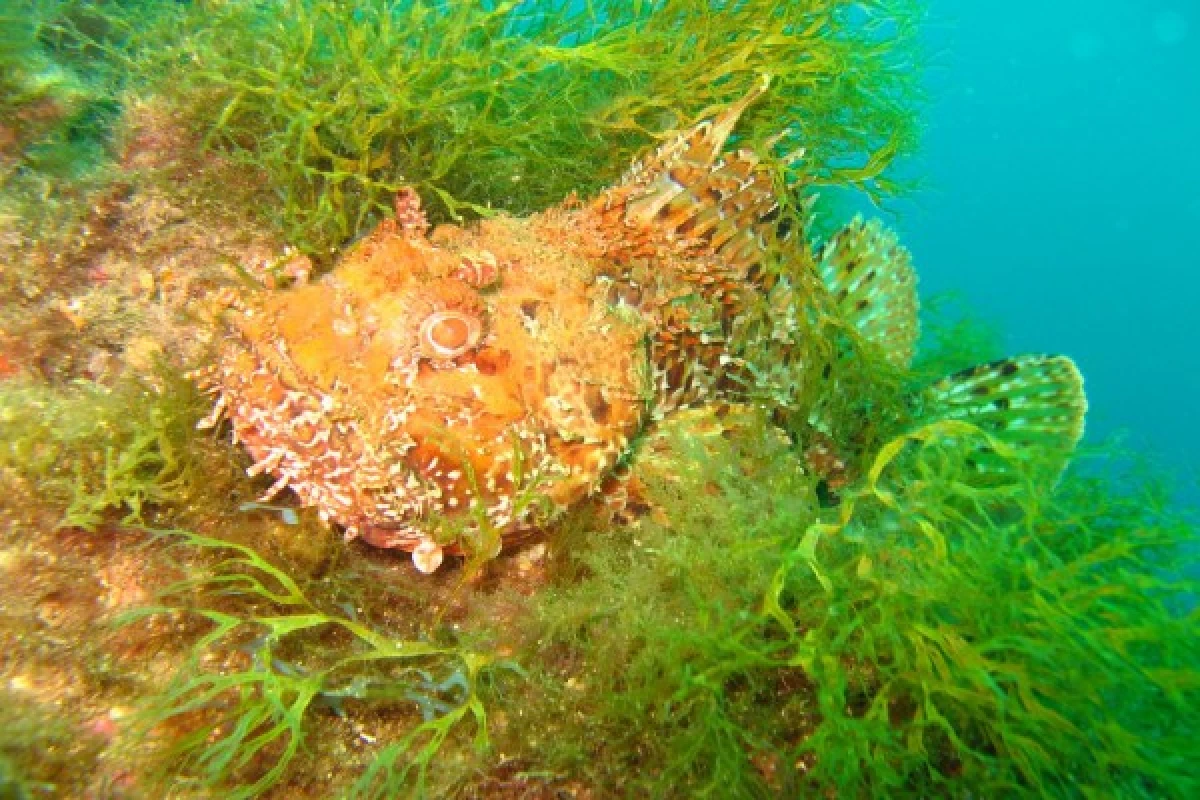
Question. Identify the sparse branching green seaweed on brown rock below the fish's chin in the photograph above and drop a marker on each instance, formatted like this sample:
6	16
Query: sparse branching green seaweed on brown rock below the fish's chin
299	659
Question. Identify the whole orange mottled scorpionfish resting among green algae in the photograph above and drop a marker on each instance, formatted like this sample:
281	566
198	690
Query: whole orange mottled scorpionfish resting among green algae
443	383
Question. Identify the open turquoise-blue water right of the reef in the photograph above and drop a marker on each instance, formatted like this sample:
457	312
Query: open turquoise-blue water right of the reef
1061	195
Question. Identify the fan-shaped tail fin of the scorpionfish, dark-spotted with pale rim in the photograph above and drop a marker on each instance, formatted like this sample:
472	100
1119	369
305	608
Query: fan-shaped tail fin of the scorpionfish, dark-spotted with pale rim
1034	404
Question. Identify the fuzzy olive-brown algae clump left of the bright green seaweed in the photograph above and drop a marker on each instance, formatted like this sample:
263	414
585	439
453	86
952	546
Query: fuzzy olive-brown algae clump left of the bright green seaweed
657	672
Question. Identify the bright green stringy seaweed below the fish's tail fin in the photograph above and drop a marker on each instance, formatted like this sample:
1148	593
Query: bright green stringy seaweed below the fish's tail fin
1011	642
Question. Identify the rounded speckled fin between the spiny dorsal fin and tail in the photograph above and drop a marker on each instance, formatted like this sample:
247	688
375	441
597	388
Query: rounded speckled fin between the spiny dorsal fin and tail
871	276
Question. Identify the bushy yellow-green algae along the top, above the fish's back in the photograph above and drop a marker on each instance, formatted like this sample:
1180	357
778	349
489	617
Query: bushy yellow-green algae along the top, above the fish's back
515	105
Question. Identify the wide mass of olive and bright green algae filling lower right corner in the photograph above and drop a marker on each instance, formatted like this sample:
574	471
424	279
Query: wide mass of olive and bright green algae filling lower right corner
925	637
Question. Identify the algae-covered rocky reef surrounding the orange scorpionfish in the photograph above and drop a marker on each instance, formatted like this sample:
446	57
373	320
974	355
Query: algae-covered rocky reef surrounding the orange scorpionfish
752	625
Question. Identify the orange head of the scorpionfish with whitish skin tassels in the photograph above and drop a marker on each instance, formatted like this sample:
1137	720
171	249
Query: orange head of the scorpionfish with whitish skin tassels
430	388
